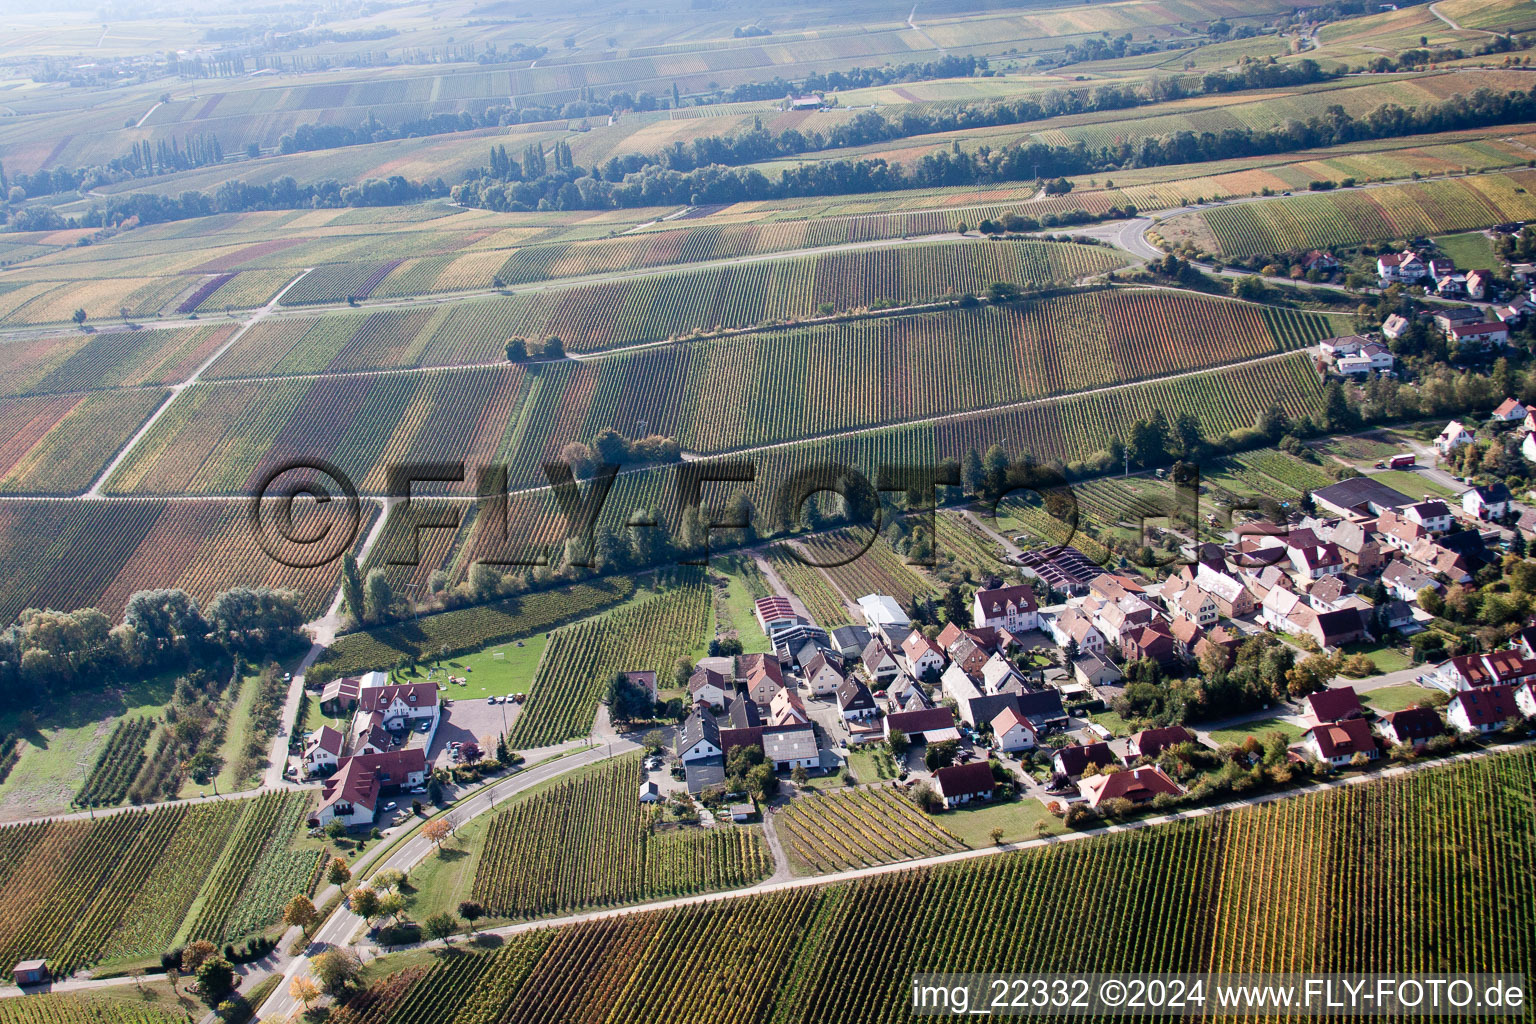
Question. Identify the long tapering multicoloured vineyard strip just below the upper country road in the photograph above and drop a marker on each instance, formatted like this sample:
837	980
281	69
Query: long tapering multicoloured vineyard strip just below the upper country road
637	311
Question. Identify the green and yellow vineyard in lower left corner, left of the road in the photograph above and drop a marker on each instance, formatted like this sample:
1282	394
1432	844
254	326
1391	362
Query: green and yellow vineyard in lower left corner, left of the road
122	888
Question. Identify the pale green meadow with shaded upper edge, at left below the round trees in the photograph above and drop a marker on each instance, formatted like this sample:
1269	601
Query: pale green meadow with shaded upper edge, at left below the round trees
48	775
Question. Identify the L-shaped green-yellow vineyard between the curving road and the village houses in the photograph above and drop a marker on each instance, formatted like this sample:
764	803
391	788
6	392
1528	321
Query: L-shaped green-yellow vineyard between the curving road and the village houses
589	842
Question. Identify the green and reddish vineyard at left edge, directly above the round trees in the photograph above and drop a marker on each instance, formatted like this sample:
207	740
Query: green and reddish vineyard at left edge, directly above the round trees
99	553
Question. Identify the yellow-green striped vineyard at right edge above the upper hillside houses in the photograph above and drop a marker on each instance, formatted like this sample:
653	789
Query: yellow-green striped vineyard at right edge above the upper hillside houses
1359	216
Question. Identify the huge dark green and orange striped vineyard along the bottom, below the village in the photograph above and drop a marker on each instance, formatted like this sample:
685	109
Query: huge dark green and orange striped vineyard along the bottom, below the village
1228	893
